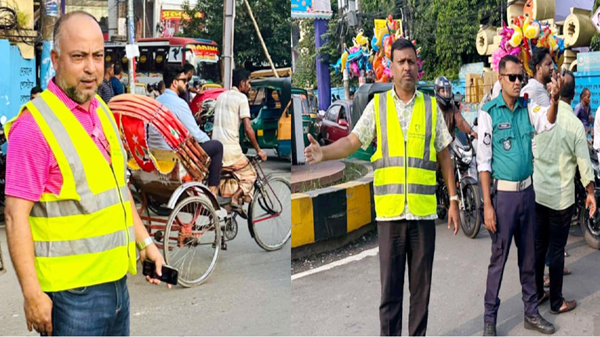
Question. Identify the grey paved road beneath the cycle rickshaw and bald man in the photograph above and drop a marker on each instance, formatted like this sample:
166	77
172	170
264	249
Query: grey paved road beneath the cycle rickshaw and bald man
247	294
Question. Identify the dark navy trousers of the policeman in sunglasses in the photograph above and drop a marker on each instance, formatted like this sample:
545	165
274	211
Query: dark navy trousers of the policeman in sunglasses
515	218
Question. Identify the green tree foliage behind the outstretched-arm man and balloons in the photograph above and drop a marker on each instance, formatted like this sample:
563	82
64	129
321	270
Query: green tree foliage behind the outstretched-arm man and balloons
445	30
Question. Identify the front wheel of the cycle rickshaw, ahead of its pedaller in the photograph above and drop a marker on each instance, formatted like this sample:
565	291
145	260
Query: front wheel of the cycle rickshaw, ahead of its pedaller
269	218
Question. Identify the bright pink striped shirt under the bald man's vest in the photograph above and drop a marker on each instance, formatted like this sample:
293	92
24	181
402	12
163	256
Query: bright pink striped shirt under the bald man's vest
31	168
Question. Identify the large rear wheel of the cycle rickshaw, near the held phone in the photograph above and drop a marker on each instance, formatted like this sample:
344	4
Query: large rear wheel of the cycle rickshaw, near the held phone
201	244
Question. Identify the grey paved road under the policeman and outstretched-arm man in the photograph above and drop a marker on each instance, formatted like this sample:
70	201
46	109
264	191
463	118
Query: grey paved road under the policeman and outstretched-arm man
345	300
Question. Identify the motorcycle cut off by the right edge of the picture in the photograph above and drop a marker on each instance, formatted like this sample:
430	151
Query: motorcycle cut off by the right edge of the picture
590	227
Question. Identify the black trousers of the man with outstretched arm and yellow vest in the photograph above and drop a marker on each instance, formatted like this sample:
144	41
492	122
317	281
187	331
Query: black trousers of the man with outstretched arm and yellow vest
400	242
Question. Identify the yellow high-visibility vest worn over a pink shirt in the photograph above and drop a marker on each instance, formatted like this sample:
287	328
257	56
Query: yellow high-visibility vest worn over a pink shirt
84	235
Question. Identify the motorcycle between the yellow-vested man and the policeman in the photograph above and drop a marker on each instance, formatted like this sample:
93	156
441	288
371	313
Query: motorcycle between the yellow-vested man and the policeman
466	179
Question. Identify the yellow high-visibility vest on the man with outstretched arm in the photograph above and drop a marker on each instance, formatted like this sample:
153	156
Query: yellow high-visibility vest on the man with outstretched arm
405	170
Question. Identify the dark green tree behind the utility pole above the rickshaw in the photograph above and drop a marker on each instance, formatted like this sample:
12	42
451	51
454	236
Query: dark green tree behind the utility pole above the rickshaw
274	27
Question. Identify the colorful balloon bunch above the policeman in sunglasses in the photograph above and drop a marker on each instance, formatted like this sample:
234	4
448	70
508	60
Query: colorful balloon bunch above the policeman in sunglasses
523	37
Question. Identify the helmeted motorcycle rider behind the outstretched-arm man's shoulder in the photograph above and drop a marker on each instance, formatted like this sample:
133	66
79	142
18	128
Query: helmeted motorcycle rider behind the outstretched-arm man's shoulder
452	113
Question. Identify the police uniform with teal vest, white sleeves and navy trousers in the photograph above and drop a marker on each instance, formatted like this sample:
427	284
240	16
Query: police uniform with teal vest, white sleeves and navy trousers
504	147
